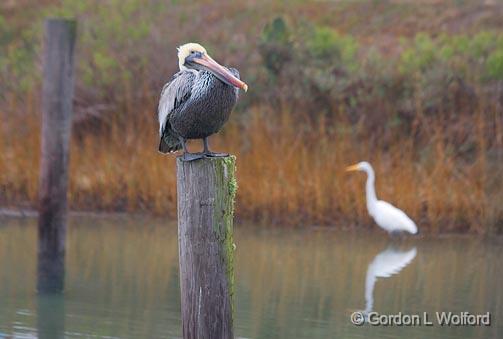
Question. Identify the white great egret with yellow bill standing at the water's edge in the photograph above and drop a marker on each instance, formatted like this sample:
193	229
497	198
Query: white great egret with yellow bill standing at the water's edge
387	216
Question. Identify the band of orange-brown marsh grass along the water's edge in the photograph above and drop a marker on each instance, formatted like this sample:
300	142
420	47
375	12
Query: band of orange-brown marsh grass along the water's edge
289	172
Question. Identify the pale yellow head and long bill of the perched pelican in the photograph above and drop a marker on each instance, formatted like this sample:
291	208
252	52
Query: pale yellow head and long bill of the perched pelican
194	56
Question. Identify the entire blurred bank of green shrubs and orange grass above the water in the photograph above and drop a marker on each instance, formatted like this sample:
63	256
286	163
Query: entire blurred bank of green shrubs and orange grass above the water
407	90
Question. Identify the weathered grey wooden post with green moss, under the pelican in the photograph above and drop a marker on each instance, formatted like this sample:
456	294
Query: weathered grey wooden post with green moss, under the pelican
206	190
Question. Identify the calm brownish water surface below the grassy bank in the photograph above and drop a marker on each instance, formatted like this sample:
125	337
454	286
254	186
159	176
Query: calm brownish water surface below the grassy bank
122	282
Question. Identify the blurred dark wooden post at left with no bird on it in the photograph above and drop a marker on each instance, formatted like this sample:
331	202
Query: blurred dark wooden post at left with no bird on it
57	96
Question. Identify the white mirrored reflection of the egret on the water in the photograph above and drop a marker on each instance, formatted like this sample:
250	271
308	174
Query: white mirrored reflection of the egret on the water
387	263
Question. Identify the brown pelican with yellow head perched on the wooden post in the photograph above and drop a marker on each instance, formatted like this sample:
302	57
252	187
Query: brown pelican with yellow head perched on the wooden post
197	102
